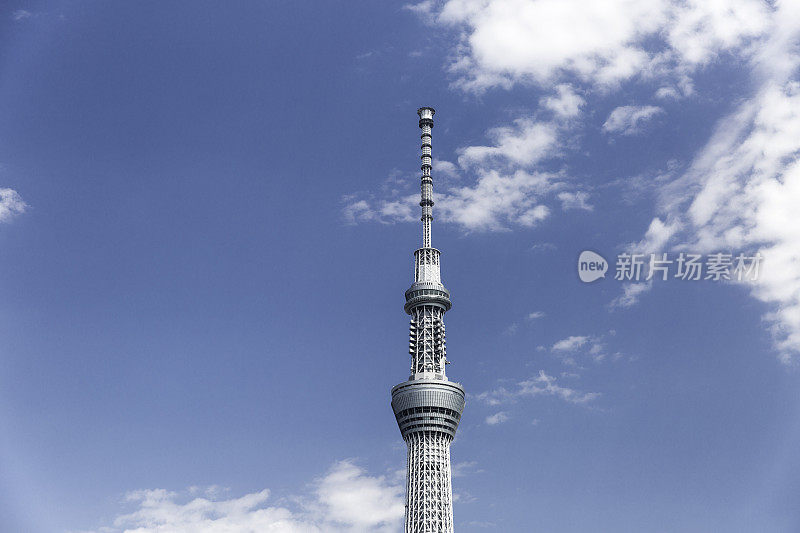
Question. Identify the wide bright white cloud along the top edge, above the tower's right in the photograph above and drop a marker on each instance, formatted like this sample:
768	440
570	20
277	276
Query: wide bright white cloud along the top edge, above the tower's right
504	42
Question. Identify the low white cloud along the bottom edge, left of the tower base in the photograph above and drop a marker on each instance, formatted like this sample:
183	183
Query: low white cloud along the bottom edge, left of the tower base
346	499
